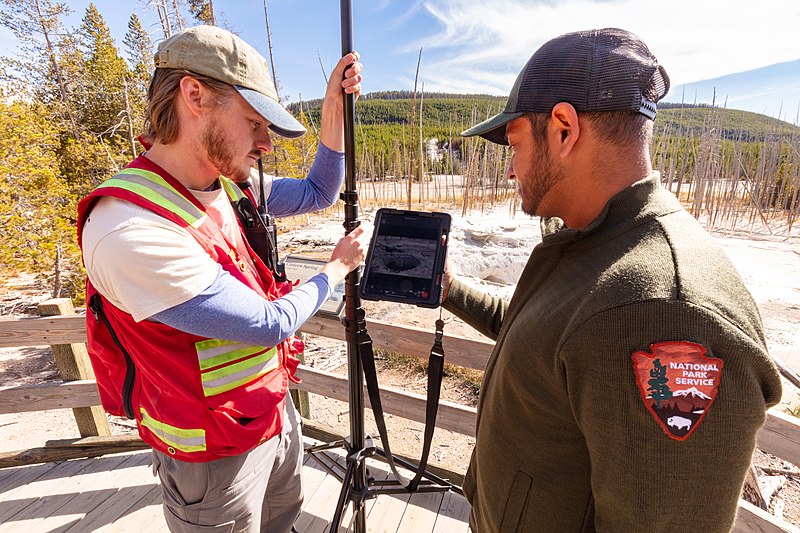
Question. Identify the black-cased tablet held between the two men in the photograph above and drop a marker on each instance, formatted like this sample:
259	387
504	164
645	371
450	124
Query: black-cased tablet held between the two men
406	258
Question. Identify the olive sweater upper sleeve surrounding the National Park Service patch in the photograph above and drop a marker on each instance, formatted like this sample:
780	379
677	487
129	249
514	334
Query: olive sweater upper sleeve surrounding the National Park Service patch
641	479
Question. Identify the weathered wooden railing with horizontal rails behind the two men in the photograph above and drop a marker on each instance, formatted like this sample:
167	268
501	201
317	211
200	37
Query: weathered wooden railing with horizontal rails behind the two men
65	332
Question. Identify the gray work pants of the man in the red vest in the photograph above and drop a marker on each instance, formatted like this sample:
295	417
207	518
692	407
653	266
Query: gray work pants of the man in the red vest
258	491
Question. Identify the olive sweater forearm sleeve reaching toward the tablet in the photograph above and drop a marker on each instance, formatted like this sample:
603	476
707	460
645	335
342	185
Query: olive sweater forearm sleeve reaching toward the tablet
483	312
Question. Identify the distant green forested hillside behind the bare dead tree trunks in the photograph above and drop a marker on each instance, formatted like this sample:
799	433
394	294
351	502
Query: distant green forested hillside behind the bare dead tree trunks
384	129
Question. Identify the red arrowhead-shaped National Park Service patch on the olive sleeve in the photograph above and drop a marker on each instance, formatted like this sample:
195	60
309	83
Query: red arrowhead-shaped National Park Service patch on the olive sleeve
678	384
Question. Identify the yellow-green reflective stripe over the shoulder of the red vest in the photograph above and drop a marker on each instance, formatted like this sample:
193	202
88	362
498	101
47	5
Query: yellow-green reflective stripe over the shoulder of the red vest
153	187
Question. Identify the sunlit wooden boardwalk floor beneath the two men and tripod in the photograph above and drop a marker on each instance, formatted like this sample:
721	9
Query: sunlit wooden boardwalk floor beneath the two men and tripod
118	493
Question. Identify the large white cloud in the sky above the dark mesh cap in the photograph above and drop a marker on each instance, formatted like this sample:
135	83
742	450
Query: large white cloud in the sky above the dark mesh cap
482	45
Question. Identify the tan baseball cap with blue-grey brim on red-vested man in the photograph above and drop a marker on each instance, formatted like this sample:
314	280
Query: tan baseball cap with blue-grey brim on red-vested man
219	54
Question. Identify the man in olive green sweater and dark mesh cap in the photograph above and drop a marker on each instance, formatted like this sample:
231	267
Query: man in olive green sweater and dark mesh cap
630	374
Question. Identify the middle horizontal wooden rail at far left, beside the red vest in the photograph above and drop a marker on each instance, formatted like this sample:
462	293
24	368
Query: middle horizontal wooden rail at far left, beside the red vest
44	396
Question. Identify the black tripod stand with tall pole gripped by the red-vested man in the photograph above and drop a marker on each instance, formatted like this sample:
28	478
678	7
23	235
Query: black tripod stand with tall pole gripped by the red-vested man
357	485
